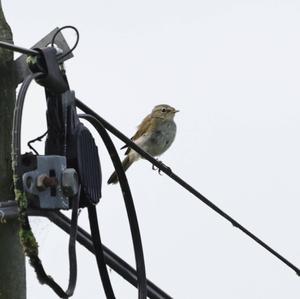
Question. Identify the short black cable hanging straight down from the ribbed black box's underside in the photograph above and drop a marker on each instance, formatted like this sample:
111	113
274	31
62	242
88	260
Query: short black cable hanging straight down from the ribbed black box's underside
95	233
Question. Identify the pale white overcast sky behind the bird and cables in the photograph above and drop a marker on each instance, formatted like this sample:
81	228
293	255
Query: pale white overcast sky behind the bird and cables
233	70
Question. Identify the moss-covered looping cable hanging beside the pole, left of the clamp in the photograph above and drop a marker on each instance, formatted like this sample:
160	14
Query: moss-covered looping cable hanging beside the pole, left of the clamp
27	238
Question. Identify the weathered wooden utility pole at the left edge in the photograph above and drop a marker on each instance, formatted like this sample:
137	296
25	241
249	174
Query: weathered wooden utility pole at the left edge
12	260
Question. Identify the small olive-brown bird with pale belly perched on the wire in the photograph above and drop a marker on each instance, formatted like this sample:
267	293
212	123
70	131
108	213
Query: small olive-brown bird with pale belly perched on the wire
155	135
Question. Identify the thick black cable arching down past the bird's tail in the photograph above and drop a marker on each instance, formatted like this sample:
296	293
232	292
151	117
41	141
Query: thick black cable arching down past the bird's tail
132	217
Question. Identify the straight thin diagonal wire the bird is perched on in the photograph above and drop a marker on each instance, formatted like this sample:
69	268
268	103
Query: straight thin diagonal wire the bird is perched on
184	184
